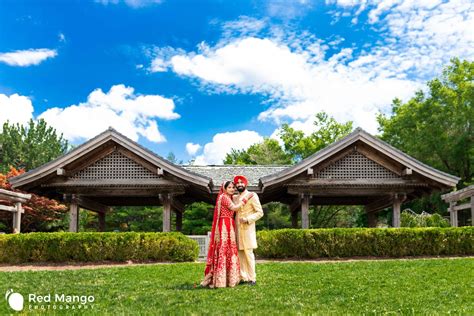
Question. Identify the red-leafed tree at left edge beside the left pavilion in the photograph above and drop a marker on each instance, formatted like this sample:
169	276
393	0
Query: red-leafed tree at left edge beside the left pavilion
40	212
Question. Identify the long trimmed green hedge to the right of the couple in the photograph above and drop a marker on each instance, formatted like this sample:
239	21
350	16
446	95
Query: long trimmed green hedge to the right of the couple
354	242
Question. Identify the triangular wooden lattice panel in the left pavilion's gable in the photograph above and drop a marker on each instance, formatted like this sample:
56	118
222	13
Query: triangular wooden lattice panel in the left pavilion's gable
113	167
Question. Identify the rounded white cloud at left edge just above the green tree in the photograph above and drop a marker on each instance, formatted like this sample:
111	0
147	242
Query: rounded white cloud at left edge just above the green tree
15	109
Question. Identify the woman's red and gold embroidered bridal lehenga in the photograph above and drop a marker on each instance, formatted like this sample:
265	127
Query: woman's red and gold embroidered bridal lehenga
222	267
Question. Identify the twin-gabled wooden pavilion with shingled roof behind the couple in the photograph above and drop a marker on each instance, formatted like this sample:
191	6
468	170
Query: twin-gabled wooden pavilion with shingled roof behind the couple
112	170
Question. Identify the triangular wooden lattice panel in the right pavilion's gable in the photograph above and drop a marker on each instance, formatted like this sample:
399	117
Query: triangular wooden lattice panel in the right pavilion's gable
355	166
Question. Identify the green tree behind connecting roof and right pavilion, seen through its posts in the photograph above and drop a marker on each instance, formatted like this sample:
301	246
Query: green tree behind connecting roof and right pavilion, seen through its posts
297	146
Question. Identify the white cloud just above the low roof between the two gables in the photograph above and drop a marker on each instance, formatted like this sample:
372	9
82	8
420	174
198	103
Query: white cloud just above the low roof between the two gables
214	152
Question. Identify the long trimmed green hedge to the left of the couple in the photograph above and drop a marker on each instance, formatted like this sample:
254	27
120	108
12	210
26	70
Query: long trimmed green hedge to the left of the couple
95	247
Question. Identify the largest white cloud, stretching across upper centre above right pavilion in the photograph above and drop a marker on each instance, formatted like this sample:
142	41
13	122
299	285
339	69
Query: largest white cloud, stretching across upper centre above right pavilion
299	83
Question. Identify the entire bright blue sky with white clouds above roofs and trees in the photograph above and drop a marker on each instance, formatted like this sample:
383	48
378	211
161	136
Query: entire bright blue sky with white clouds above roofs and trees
198	78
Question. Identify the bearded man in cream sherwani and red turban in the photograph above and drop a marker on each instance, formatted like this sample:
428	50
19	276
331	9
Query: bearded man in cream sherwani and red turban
247	239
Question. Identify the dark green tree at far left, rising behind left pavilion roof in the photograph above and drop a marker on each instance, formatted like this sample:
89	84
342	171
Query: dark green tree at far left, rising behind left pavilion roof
27	147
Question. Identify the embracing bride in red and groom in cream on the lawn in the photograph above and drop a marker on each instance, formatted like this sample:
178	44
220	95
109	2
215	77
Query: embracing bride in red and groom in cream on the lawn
230	258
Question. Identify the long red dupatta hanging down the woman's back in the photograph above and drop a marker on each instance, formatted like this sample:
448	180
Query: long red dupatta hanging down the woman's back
214	241
